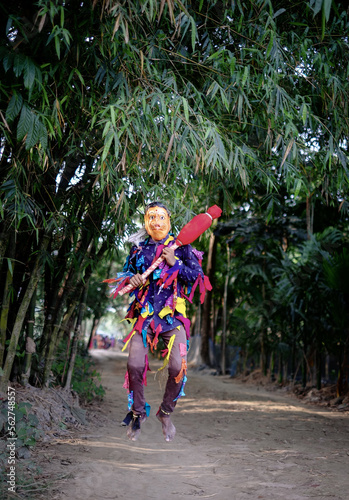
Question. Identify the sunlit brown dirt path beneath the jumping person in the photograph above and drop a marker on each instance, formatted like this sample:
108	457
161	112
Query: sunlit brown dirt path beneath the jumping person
233	442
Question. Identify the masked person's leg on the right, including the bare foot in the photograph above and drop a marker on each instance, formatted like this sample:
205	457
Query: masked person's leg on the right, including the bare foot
176	366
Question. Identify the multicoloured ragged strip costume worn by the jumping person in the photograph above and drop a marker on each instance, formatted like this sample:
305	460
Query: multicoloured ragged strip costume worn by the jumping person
159	309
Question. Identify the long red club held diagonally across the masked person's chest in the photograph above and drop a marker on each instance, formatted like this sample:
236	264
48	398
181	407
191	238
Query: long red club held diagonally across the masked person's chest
190	232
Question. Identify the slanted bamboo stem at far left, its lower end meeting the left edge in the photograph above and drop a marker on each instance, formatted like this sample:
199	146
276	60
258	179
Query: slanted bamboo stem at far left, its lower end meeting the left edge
34	278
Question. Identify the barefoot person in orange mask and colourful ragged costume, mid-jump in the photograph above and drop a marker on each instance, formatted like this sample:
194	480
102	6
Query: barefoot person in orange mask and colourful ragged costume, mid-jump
158	310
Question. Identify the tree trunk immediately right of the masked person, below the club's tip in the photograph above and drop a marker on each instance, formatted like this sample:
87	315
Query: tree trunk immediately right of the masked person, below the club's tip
206	313
